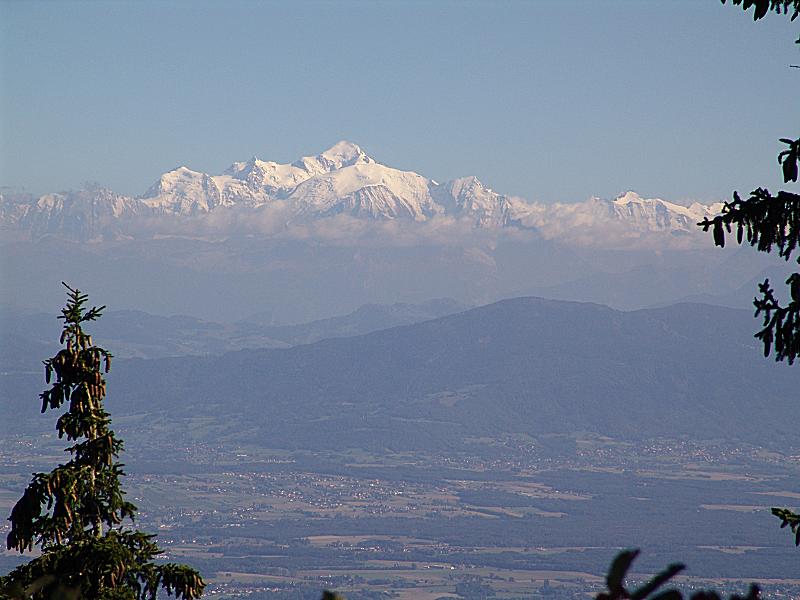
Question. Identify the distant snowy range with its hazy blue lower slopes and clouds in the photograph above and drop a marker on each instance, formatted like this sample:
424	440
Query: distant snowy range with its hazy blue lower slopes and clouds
328	233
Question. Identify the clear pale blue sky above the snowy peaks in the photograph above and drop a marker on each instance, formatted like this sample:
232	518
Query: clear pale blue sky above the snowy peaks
680	99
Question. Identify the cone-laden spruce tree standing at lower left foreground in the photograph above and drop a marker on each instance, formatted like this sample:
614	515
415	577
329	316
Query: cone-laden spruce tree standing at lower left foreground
76	513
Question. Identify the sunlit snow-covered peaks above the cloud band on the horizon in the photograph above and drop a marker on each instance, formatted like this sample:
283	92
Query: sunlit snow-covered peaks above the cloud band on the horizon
340	180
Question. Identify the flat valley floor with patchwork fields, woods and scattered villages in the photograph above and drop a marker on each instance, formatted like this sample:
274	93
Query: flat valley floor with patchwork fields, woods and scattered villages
516	518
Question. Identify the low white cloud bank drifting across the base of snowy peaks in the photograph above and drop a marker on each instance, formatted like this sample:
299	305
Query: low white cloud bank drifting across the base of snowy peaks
593	223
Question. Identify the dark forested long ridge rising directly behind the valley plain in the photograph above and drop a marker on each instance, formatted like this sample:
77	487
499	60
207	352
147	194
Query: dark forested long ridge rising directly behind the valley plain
522	366
